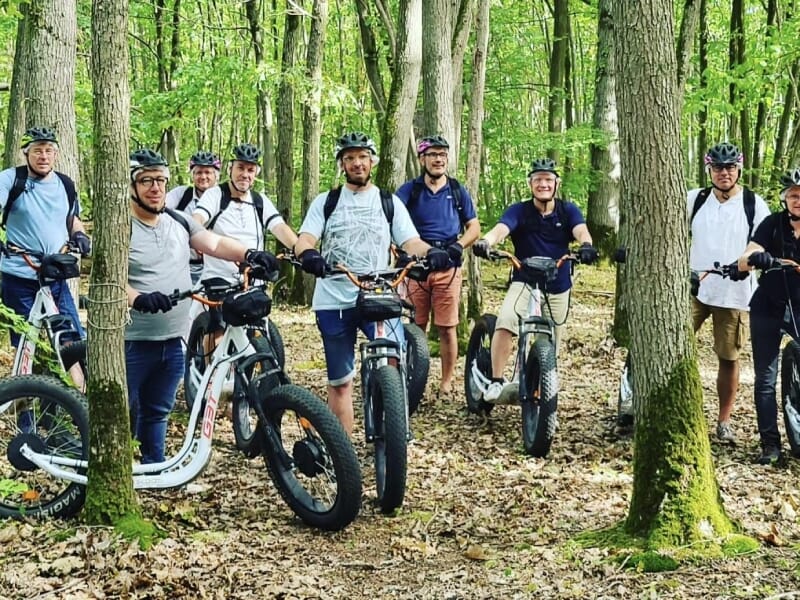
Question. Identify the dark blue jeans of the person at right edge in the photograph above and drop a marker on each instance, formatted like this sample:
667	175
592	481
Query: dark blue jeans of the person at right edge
766	332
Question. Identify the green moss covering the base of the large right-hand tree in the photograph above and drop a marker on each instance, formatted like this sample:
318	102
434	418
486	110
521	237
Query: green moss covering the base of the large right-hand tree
676	497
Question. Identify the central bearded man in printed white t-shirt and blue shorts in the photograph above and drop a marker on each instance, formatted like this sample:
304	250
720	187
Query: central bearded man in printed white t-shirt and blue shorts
358	235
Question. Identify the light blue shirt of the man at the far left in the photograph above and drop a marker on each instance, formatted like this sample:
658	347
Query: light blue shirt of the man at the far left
37	221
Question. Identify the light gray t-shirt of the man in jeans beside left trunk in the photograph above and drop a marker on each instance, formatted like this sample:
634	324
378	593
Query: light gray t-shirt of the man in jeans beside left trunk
159	262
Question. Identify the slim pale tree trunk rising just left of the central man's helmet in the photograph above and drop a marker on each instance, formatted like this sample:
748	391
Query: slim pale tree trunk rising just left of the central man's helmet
312	131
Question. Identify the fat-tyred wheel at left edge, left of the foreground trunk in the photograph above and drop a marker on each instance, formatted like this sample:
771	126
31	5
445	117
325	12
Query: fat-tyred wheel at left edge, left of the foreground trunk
51	419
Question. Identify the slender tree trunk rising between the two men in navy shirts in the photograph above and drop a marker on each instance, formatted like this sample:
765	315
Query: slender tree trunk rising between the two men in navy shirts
475	150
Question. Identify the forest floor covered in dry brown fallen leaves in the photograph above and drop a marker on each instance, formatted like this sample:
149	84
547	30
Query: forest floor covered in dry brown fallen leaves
480	519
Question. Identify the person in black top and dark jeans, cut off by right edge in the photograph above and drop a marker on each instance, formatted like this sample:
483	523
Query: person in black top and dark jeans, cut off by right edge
778	236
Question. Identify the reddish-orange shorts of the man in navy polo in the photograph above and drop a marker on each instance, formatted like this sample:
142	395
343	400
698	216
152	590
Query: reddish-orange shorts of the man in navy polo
441	292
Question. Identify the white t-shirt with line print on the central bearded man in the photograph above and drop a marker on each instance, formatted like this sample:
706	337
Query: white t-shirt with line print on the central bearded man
356	235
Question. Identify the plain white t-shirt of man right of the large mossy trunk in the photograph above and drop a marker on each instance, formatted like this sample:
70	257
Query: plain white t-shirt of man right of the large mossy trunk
719	234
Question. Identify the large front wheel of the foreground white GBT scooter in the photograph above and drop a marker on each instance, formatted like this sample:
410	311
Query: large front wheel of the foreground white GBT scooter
310	458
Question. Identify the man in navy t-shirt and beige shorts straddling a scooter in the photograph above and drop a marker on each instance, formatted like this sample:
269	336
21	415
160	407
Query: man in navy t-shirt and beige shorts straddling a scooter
542	226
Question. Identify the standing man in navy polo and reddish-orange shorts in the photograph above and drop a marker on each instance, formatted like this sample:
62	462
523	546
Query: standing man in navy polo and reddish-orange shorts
442	211
